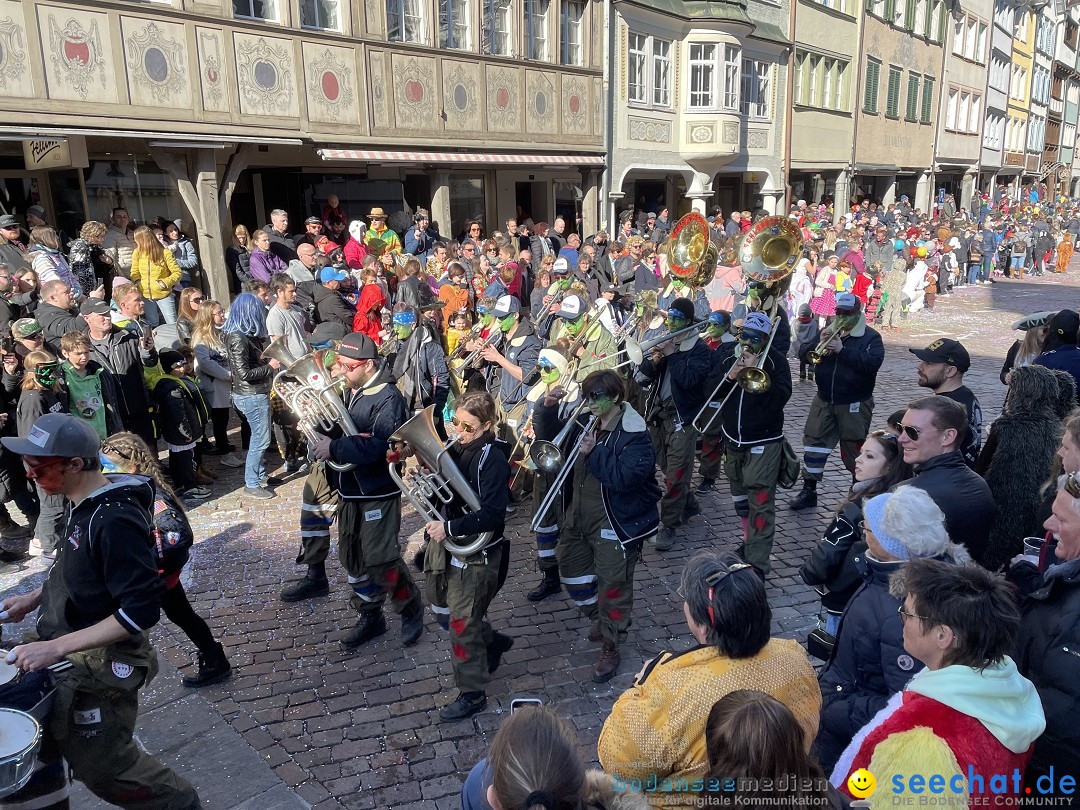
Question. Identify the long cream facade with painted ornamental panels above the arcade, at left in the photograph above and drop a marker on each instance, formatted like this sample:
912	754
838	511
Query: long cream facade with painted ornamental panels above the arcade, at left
215	112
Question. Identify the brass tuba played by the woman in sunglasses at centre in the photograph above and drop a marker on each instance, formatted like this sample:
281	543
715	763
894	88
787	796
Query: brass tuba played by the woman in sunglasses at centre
437	480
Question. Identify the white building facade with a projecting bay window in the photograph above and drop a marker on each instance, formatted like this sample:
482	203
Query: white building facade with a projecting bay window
700	106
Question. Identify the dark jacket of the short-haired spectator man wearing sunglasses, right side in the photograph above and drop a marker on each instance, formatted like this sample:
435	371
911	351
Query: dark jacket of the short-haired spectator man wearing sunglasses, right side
964	498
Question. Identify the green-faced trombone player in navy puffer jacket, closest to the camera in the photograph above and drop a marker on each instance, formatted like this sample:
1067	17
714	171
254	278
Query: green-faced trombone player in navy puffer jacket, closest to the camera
613	510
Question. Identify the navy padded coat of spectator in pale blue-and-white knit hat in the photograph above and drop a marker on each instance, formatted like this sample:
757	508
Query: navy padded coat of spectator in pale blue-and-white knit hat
869	664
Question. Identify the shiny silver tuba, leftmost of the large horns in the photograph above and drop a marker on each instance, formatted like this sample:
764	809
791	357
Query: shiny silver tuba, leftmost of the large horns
308	390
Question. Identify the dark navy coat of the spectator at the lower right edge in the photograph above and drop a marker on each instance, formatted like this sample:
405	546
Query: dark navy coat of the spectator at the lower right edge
1048	654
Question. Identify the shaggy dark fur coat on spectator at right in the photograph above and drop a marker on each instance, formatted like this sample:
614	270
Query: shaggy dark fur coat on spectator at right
1017	461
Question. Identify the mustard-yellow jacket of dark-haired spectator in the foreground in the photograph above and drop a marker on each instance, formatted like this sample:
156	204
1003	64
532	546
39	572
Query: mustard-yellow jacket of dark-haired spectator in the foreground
655	738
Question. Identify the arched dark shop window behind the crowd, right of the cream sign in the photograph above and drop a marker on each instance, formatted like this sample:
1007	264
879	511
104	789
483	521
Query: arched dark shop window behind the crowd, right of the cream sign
134	184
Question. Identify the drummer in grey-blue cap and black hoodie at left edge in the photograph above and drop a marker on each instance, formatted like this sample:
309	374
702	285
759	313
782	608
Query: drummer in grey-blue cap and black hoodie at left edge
97	610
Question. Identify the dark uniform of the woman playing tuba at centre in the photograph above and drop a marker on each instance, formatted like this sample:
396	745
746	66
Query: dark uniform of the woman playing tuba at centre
461	591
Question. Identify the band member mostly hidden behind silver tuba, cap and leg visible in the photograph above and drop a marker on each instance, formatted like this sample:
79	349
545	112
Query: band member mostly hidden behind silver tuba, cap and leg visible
319	503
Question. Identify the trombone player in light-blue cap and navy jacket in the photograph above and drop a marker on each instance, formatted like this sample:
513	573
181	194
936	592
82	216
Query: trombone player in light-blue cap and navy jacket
753	427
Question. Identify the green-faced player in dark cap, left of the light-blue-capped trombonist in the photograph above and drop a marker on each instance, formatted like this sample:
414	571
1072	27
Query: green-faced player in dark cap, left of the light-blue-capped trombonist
679	370
